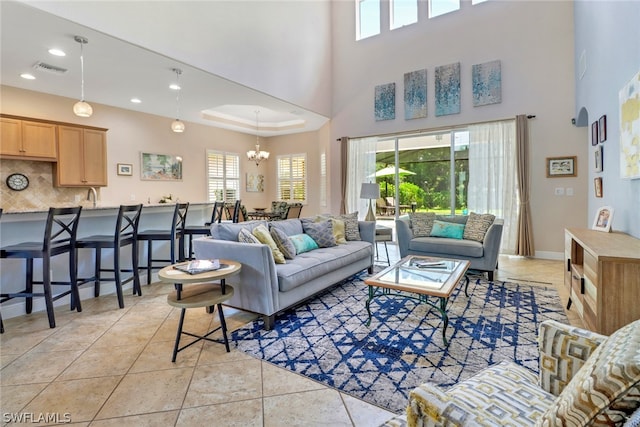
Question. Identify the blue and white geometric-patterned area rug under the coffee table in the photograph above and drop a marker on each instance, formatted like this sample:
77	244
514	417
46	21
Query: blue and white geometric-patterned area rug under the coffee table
326	338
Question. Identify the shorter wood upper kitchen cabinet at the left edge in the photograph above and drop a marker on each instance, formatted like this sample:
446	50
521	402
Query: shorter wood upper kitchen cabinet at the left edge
28	140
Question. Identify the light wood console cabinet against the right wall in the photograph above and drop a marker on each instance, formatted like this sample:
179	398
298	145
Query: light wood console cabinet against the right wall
603	277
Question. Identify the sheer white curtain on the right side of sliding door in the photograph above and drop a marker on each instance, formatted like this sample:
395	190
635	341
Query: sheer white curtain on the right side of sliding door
493	180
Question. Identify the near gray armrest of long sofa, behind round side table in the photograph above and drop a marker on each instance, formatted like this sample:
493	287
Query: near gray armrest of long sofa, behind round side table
257	282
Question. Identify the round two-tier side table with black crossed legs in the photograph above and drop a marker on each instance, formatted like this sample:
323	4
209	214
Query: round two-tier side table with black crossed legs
170	275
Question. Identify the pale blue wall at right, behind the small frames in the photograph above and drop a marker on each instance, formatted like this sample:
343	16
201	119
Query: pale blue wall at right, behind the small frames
612	55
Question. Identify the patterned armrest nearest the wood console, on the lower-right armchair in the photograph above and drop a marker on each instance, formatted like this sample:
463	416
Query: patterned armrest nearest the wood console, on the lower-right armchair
563	351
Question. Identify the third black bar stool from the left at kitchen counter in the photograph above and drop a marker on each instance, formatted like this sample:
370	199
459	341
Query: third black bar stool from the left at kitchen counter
173	234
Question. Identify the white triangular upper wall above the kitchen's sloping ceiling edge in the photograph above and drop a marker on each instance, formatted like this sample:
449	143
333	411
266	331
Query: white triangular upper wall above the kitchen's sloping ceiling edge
281	48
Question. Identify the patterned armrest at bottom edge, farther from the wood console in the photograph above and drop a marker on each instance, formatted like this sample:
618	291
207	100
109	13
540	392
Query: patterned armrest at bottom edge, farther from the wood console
428	406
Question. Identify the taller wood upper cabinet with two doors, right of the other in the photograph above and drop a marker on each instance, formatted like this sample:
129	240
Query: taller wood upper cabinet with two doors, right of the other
82	157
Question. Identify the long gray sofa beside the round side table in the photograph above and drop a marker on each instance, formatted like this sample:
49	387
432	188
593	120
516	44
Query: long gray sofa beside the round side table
267	288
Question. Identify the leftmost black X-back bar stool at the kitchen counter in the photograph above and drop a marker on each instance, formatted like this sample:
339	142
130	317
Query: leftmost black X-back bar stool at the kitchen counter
59	238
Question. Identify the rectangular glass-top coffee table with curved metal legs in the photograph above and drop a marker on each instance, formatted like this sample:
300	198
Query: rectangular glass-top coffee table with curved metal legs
420	278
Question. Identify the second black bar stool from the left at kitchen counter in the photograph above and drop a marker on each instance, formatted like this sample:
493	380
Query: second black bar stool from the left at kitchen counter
125	234
